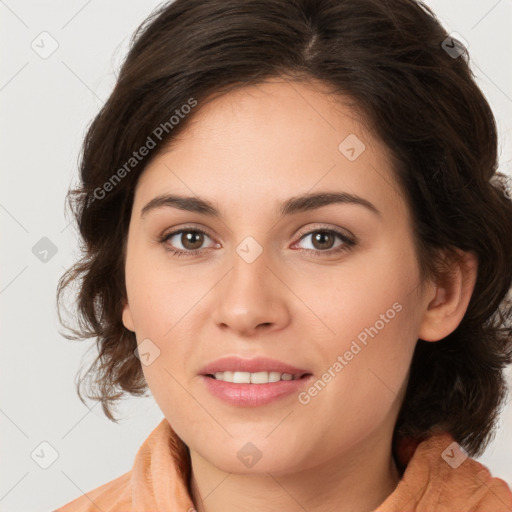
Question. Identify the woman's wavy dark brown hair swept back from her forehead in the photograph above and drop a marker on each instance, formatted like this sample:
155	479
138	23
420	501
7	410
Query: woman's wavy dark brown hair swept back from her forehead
391	58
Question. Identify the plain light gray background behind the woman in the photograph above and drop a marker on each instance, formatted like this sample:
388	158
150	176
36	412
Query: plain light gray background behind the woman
46	105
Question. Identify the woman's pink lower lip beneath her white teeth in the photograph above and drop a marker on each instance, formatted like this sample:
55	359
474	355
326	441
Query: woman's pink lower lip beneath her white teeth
253	395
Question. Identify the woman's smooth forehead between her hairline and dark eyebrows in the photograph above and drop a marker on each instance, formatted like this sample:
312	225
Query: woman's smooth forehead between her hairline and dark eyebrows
265	143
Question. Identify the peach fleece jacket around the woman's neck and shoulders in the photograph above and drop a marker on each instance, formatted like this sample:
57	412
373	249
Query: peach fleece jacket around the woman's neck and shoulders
437	477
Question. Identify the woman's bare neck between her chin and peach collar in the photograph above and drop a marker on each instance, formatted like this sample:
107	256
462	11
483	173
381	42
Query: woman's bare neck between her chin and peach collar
356	481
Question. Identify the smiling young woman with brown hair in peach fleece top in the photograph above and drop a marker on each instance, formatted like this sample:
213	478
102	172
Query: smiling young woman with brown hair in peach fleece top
297	239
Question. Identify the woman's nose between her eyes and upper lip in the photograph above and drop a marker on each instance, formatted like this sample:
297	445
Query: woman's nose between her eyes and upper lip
251	299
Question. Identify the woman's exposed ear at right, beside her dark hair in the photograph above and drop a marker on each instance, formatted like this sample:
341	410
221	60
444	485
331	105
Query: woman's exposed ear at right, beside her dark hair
452	294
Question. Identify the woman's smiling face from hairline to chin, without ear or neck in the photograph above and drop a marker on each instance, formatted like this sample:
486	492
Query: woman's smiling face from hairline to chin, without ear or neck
272	278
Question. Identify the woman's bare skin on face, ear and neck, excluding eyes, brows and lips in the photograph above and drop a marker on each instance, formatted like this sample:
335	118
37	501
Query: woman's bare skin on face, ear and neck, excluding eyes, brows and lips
247	152
